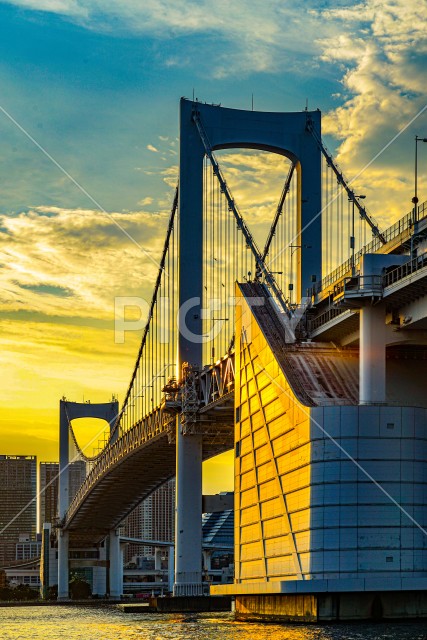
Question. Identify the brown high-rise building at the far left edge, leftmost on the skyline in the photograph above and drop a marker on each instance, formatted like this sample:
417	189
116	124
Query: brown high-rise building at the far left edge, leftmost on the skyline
18	513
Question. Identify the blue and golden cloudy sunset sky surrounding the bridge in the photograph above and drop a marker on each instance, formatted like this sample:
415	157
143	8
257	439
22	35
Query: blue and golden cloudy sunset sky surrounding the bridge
97	86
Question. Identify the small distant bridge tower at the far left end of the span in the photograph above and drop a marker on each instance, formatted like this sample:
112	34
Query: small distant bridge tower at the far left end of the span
70	411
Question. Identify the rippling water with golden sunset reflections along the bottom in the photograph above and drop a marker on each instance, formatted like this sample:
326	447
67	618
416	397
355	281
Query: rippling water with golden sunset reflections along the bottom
71	623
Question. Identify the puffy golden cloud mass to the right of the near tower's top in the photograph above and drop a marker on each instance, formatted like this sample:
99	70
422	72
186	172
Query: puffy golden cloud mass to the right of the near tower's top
381	52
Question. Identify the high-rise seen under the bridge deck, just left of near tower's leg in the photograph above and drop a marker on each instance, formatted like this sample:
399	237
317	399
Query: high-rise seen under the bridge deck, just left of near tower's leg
153	519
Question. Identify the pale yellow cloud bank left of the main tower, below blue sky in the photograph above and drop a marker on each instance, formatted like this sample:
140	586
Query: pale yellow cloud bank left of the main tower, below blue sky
69	262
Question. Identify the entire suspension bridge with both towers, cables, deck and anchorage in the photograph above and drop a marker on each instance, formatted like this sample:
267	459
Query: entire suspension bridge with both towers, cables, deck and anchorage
307	355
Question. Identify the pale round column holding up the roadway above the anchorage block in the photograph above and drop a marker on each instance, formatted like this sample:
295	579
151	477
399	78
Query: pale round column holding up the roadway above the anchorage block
372	355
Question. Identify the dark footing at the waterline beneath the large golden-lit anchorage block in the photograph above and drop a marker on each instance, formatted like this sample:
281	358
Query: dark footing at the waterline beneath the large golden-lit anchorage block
340	607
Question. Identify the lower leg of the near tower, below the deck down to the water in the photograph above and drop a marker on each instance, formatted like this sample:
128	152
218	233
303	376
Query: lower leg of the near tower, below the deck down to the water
188	531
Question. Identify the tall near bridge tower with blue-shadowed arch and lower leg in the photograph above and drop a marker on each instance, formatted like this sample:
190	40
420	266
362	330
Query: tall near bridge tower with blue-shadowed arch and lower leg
282	133
